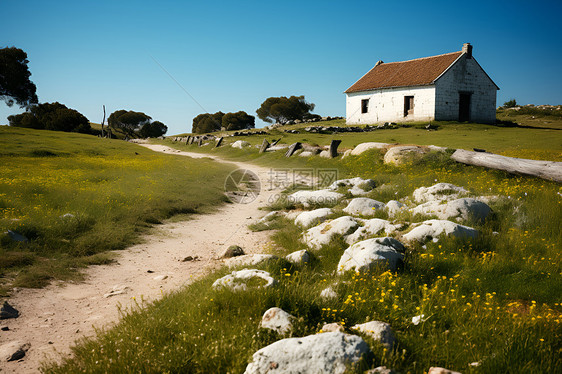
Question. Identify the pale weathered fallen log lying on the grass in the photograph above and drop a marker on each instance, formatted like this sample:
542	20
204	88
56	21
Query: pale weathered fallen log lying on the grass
543	169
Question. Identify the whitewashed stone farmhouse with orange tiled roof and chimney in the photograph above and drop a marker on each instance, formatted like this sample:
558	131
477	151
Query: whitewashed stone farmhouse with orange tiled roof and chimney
448	87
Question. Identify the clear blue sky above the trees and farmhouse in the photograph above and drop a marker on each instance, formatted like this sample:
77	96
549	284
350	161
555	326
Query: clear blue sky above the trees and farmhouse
232	55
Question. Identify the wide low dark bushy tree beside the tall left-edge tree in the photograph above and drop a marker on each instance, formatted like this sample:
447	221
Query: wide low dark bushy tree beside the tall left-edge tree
52	116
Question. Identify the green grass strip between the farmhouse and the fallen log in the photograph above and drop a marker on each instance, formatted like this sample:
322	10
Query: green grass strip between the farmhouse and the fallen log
537	138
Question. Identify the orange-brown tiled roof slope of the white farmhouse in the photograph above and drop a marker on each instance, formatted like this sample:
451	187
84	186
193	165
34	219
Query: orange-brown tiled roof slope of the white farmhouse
418	72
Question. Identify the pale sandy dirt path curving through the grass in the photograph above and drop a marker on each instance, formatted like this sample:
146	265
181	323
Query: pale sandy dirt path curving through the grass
51	319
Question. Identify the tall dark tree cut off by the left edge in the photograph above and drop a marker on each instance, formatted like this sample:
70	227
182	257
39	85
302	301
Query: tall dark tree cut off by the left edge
15	85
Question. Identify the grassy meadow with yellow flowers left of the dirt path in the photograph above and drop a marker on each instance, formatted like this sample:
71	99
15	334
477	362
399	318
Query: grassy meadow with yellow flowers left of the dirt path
75	197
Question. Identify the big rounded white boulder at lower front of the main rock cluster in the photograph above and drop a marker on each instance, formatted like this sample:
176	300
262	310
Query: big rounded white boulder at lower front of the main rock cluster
367	254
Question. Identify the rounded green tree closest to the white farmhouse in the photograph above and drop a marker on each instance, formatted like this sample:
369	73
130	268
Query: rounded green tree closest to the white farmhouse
283	109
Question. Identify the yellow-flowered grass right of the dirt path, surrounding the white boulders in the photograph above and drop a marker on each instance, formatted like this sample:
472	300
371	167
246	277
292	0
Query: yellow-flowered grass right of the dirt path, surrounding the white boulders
491	304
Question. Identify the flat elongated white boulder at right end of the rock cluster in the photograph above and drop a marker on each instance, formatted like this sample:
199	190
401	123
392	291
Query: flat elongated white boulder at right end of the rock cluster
461	209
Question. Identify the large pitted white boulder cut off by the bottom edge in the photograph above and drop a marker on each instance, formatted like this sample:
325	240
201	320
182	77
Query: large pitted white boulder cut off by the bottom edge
330	353
